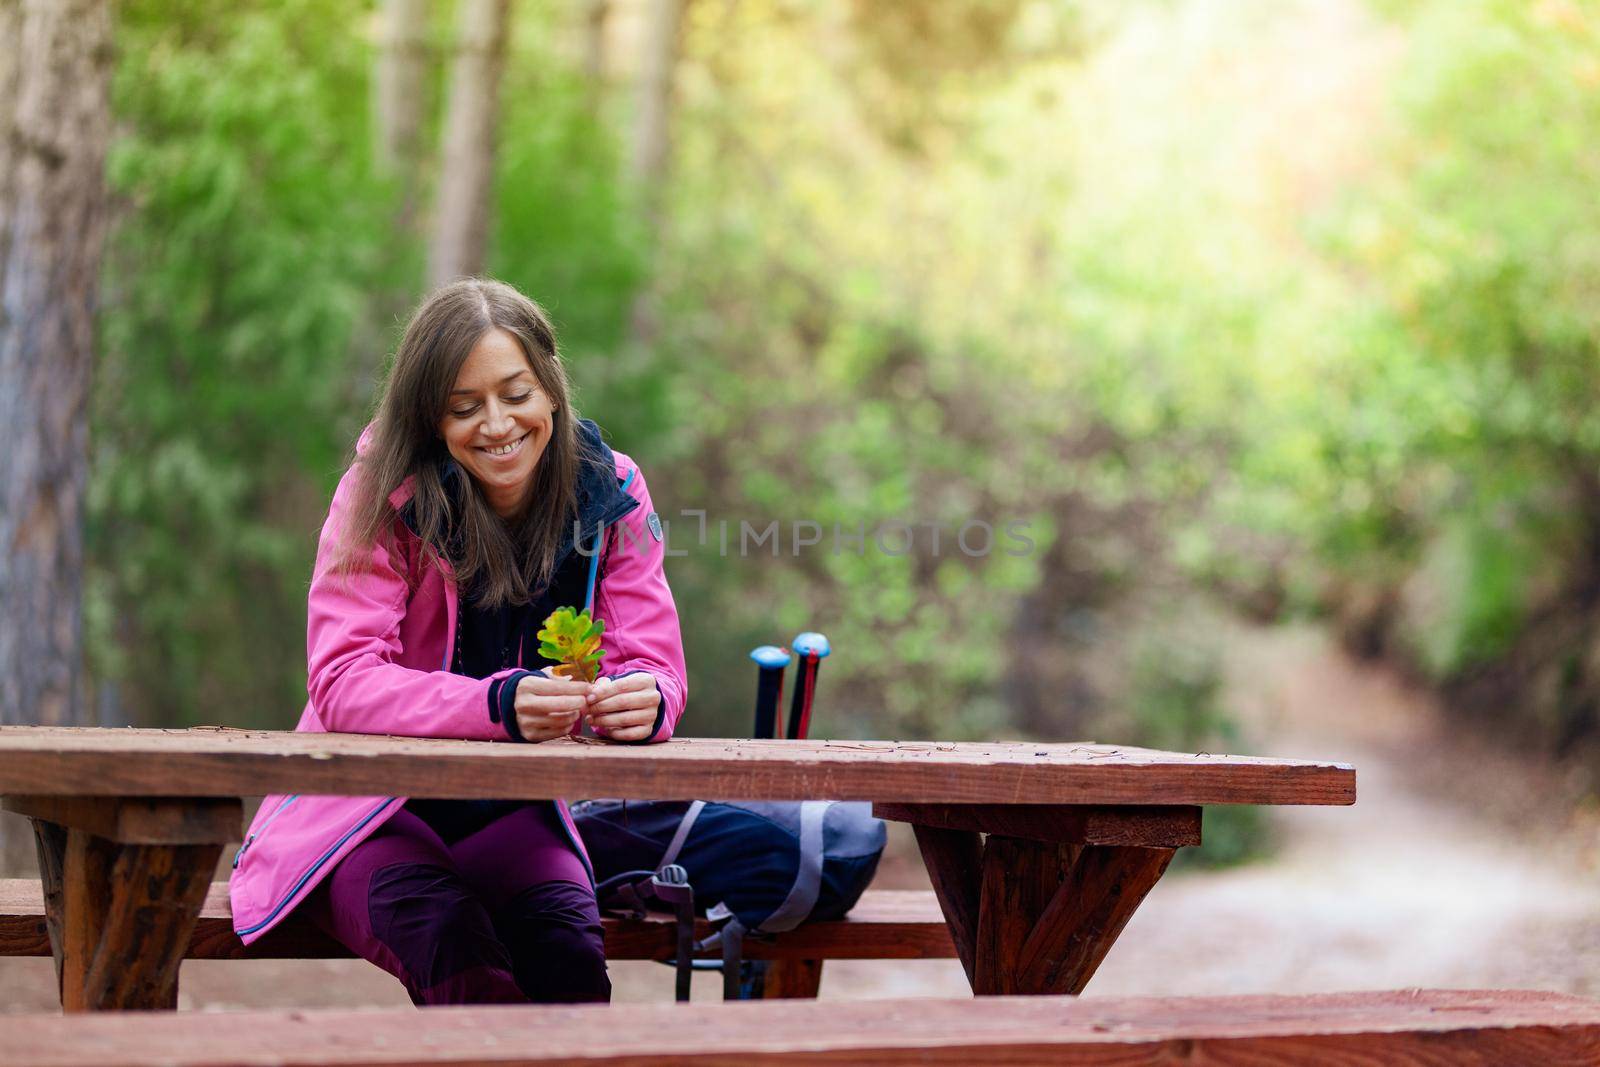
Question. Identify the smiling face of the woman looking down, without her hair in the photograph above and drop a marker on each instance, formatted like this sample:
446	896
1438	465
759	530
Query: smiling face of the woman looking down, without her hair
498	420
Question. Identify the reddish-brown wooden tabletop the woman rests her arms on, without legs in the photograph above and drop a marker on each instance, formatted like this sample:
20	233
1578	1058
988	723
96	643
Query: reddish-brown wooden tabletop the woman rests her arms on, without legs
210	762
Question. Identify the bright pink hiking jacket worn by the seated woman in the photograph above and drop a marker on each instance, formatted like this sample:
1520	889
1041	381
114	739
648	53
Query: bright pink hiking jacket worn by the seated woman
378	652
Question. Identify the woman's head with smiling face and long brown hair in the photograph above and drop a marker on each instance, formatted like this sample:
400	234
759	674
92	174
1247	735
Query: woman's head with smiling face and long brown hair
476	372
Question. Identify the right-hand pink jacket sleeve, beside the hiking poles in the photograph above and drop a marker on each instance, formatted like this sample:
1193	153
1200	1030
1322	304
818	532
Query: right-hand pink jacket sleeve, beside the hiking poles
636	604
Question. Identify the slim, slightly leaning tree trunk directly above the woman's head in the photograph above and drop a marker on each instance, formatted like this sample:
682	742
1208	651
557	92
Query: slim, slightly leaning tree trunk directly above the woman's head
462	217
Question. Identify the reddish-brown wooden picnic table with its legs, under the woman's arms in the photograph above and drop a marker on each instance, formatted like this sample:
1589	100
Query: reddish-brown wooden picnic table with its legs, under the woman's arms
1039	853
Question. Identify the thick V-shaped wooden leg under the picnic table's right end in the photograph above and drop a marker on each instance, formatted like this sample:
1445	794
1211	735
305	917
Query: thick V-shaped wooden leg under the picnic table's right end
1038	905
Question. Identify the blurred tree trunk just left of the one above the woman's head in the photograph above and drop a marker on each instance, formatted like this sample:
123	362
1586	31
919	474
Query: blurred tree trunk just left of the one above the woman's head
398	98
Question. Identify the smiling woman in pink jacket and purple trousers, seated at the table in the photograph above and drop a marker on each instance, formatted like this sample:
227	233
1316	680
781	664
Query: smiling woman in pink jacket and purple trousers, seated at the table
476	506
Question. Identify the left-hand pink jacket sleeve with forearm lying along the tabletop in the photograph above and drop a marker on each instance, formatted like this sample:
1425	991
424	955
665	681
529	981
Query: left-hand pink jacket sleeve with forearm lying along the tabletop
353	641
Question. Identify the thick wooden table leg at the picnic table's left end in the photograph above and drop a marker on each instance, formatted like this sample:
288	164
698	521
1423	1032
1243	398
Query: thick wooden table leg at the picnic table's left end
124	885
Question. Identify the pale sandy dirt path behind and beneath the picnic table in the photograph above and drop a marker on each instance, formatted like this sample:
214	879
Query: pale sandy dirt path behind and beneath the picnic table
1454	869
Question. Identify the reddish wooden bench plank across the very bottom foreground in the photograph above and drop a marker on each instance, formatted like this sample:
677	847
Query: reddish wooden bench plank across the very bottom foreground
1394	1029
